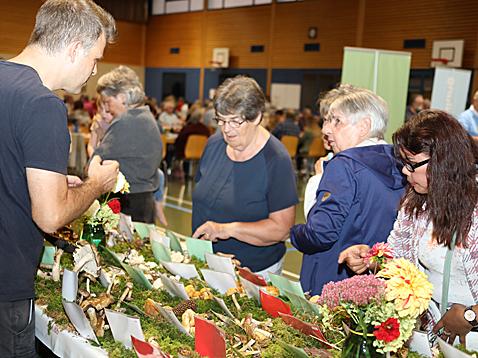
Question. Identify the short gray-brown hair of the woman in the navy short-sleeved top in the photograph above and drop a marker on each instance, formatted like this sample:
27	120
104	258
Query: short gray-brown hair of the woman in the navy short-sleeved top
240	95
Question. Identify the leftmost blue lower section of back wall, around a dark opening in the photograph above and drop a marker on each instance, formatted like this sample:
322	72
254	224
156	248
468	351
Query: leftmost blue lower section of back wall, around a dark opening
154	77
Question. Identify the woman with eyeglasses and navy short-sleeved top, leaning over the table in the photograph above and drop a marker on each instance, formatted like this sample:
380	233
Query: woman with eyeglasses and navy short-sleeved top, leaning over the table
245	195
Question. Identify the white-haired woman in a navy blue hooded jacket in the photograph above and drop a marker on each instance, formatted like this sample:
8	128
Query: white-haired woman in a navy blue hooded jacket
359	193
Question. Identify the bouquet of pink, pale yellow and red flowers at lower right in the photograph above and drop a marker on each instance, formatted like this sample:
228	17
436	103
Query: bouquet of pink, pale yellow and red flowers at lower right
382	308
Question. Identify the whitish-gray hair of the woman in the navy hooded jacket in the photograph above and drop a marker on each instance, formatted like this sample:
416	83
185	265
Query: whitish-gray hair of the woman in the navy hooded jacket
358	103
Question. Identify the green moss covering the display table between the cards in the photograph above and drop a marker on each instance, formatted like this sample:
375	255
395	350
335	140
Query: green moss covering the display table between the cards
166	335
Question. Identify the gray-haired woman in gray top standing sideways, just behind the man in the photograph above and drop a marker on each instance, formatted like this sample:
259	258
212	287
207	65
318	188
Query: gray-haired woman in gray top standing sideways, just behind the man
132	139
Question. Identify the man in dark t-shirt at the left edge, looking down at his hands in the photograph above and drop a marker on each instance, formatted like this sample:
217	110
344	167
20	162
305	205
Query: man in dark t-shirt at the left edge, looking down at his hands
36	194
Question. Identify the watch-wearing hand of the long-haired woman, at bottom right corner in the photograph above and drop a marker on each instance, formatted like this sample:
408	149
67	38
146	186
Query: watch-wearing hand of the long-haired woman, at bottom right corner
454	324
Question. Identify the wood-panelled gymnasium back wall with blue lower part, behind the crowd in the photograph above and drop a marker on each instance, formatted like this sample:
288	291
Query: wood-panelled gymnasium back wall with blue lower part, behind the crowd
281	28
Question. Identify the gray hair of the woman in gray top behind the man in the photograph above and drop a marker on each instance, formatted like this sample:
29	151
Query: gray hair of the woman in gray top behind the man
125	81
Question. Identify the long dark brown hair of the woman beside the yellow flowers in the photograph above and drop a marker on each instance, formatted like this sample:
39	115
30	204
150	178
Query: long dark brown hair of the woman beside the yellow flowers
451	173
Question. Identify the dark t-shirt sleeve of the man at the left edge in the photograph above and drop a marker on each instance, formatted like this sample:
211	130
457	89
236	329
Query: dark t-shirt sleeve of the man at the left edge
45	139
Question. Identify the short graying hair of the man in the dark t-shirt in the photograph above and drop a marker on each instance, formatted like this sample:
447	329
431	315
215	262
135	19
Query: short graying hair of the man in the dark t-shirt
61	22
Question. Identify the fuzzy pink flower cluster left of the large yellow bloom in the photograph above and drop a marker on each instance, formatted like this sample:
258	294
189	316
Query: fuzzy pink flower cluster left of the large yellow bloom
359	290
